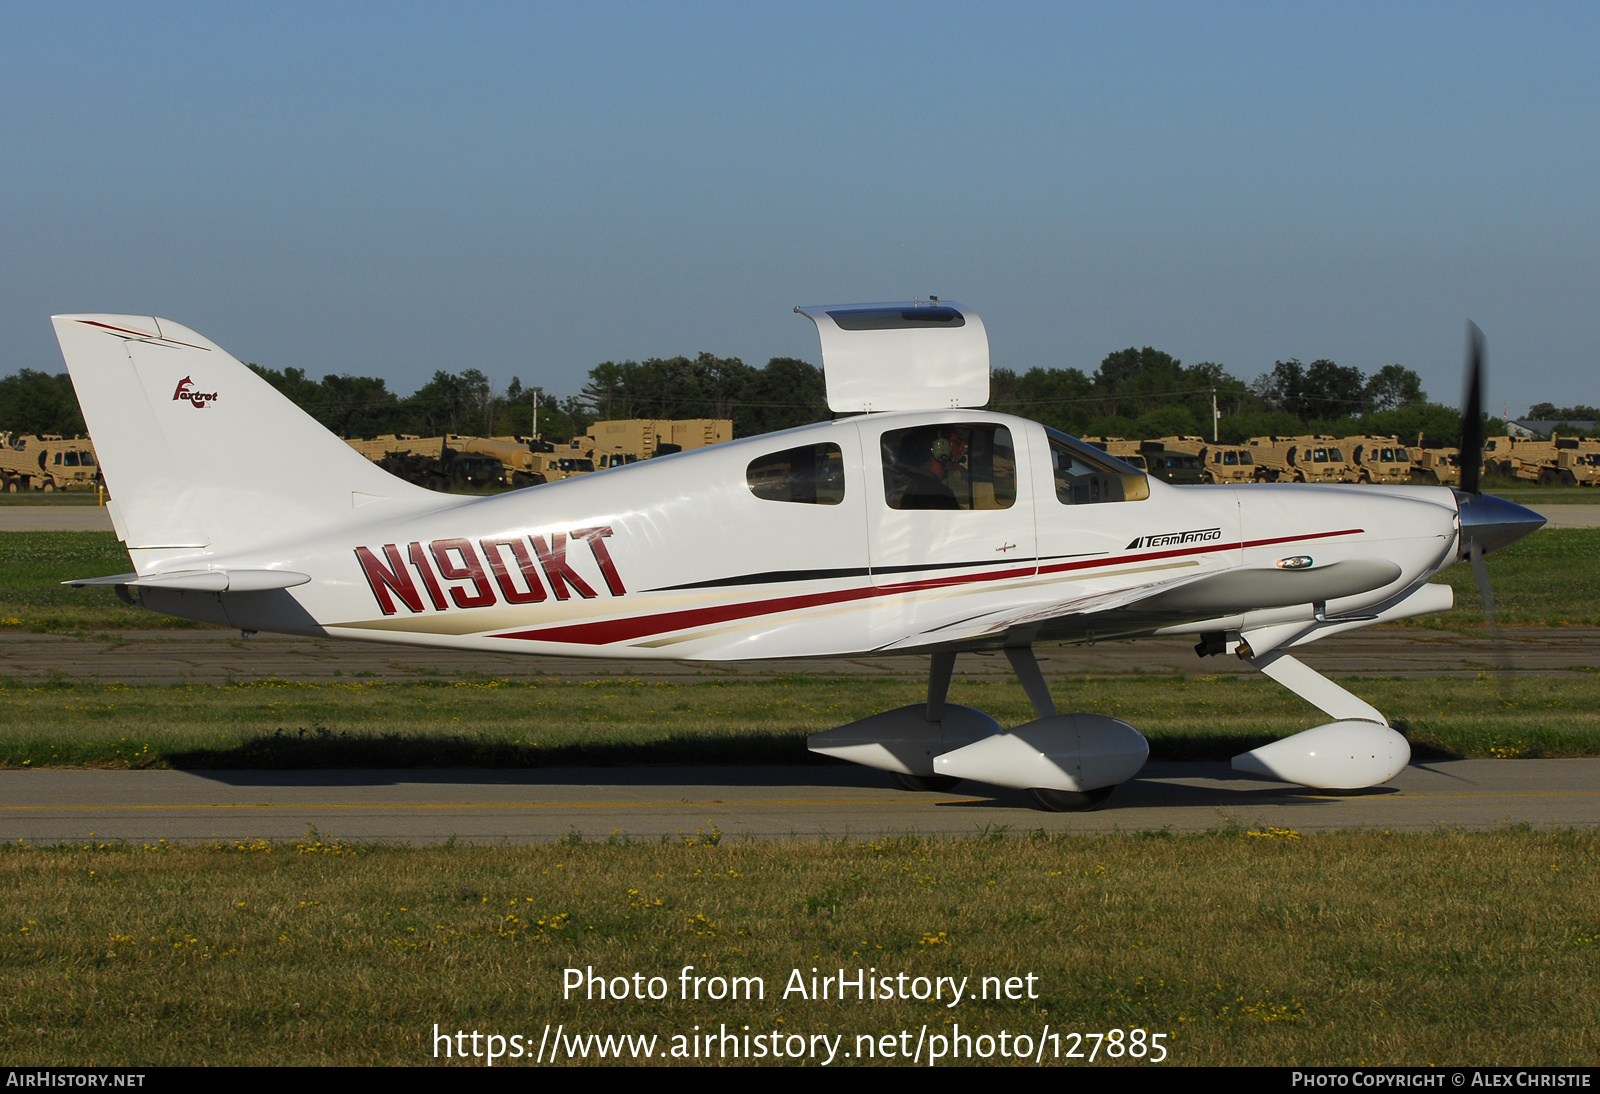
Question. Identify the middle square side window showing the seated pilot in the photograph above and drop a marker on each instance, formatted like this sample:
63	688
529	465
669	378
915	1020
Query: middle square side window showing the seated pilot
962	466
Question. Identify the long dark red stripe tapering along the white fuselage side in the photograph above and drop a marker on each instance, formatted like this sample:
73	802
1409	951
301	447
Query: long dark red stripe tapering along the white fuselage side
609	631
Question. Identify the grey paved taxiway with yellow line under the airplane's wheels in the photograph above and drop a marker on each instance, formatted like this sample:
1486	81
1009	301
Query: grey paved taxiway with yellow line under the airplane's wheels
839	802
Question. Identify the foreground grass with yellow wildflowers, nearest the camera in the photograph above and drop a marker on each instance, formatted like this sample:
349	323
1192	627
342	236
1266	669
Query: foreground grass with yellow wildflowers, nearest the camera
1239	946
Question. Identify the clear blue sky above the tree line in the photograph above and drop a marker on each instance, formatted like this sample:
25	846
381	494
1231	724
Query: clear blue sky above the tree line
390	190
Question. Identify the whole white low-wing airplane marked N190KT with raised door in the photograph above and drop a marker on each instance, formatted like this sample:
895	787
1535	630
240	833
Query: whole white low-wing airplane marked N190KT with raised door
919	525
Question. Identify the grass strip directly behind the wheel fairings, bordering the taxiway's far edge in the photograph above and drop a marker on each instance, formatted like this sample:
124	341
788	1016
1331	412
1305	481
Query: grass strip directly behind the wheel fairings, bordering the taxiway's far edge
514	724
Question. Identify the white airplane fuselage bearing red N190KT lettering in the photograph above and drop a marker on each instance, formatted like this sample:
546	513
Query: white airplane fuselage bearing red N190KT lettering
817	541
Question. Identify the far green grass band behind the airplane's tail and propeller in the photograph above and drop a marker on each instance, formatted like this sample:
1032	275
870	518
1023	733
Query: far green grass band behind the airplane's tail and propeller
1546	580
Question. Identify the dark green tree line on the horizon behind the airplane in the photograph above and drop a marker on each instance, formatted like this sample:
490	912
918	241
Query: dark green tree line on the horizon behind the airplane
1135	393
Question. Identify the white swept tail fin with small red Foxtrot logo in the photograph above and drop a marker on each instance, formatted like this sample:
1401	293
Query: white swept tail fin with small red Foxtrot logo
202	453
